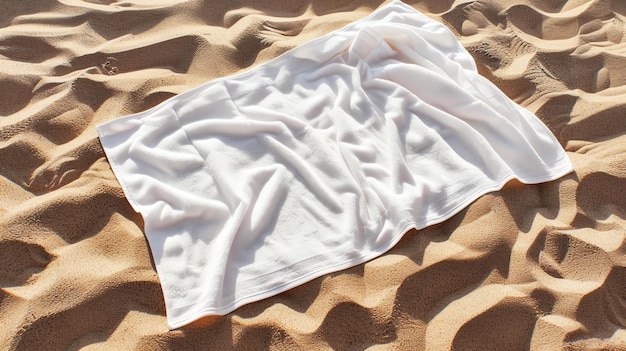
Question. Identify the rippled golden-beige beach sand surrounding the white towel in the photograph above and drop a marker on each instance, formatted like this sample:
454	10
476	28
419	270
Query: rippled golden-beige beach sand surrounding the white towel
539	267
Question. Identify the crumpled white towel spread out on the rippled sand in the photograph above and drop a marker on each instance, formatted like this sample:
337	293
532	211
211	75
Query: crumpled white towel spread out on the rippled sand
318	160
